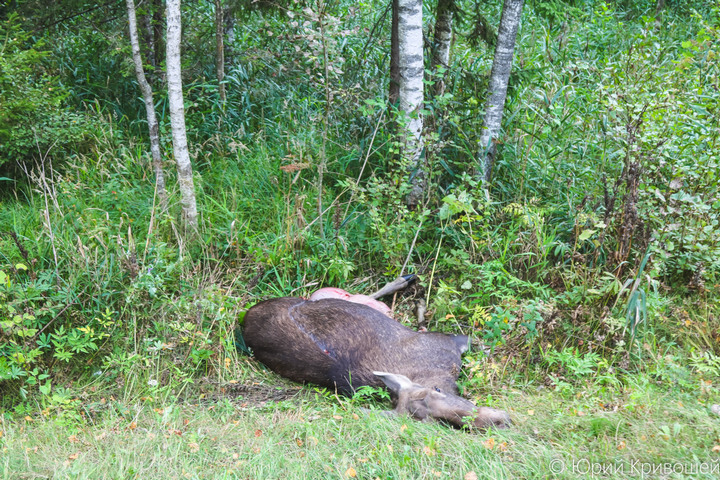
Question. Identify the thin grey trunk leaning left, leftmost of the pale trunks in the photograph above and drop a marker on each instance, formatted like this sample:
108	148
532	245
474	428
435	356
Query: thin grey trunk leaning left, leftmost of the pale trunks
149	106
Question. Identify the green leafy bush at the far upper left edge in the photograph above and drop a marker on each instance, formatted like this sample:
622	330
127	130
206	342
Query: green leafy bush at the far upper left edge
34	117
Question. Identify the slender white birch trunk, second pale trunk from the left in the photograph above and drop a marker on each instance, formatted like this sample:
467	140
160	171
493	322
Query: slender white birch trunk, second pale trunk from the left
177	115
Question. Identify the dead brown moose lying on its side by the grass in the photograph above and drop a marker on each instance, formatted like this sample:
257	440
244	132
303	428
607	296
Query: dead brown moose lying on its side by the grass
343	345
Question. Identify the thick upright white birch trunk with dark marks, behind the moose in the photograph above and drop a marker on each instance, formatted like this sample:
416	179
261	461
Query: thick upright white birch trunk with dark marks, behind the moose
410	49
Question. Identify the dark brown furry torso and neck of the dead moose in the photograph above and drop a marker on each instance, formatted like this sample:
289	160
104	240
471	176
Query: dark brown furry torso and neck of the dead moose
338	344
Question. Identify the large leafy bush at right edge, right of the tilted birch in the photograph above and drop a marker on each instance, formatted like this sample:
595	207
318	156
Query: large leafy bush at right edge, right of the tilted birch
630	152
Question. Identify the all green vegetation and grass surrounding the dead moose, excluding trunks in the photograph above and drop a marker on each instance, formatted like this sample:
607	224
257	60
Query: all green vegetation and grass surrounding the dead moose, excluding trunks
586	266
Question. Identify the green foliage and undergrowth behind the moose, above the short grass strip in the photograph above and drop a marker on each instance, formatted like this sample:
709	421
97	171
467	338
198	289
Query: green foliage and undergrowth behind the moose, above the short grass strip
599	227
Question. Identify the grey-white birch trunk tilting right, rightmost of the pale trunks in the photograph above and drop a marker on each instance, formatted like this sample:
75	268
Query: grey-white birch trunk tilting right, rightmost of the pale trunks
499	77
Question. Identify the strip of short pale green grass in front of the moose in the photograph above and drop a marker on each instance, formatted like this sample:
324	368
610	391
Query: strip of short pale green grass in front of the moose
314	434
